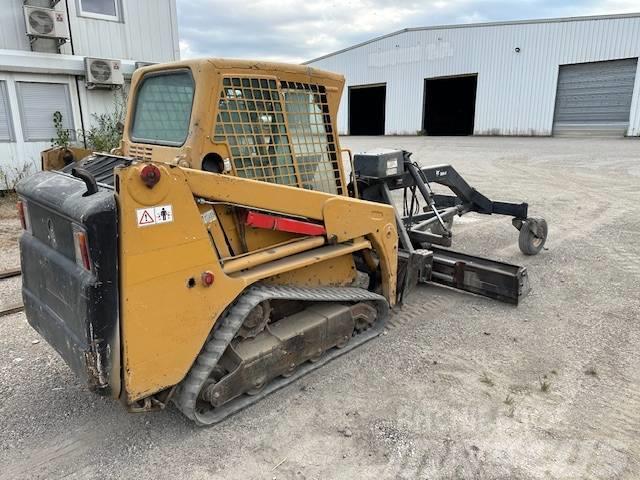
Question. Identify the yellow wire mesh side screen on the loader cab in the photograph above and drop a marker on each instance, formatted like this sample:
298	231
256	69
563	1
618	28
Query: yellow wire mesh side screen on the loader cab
279	132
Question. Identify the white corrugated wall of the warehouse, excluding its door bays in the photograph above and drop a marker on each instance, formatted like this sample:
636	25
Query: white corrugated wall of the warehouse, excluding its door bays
516	90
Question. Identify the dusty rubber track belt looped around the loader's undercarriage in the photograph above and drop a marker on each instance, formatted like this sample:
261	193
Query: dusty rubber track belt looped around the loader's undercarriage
189	389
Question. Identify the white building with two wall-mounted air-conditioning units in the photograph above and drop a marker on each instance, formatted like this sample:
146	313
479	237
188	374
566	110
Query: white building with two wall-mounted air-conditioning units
42	65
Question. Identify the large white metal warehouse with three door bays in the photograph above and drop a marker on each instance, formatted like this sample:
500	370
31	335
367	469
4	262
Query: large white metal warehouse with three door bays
540	77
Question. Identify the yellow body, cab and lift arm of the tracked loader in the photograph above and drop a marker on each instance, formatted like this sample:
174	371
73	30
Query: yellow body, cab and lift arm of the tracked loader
167	308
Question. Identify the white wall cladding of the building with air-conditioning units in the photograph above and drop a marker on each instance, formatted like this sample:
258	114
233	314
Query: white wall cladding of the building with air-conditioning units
146	31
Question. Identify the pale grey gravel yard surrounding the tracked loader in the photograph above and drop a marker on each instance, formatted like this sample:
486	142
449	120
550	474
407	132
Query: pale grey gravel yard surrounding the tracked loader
460	387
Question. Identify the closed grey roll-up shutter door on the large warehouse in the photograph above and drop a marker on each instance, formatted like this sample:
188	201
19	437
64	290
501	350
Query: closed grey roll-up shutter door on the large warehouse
594	98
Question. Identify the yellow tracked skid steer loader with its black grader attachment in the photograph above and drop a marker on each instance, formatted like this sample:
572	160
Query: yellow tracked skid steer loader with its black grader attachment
222	251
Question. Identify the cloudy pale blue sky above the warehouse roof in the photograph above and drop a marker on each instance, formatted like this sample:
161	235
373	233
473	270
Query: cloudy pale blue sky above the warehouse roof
295	31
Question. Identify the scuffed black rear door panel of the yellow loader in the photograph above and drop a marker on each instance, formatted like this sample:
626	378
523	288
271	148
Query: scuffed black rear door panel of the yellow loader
74	309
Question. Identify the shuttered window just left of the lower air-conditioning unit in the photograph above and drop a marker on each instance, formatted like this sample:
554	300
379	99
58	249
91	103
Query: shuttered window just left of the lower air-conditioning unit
38	102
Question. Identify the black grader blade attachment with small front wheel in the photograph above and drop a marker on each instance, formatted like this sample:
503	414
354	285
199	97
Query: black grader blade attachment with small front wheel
426	221
